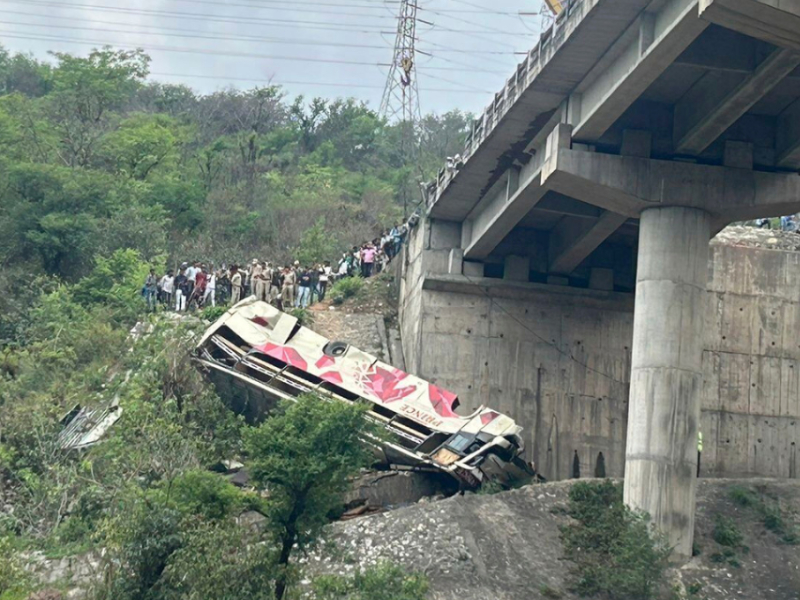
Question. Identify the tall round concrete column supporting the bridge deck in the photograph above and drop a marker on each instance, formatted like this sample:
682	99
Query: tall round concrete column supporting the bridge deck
666	375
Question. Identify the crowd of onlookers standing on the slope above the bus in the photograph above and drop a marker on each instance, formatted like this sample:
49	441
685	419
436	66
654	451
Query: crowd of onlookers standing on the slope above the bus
199	285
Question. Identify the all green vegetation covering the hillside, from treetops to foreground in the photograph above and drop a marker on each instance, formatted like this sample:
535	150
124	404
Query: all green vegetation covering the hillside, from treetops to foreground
104	175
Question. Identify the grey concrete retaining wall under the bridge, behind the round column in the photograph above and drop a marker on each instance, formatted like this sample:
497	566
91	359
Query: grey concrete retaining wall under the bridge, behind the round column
557	359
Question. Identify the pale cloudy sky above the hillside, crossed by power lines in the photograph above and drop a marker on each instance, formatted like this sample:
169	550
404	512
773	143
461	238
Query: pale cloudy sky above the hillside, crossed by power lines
328	48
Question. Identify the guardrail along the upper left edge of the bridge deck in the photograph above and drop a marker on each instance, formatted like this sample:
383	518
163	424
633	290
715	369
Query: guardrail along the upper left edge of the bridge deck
523	76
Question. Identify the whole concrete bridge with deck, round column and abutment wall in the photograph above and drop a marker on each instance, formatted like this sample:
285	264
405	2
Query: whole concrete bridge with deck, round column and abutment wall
631	124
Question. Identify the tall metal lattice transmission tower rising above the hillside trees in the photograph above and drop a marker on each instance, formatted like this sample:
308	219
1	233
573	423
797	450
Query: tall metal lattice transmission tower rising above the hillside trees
401	96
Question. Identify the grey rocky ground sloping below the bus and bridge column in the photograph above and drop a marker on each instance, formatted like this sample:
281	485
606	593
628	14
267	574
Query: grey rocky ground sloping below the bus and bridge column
506	546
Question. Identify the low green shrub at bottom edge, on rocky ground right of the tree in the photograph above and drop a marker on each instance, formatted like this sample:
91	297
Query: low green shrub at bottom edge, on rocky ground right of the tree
383	582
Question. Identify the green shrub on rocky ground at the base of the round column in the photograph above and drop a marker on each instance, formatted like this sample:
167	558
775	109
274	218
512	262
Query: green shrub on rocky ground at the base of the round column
614	550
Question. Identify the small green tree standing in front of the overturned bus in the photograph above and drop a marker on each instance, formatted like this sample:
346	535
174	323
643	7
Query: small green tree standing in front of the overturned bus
305	457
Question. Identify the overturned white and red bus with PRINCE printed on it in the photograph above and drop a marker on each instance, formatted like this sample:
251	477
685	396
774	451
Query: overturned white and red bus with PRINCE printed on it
256	355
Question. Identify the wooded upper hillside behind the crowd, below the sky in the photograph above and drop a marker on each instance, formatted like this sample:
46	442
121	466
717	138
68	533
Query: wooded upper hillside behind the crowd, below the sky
96	159
